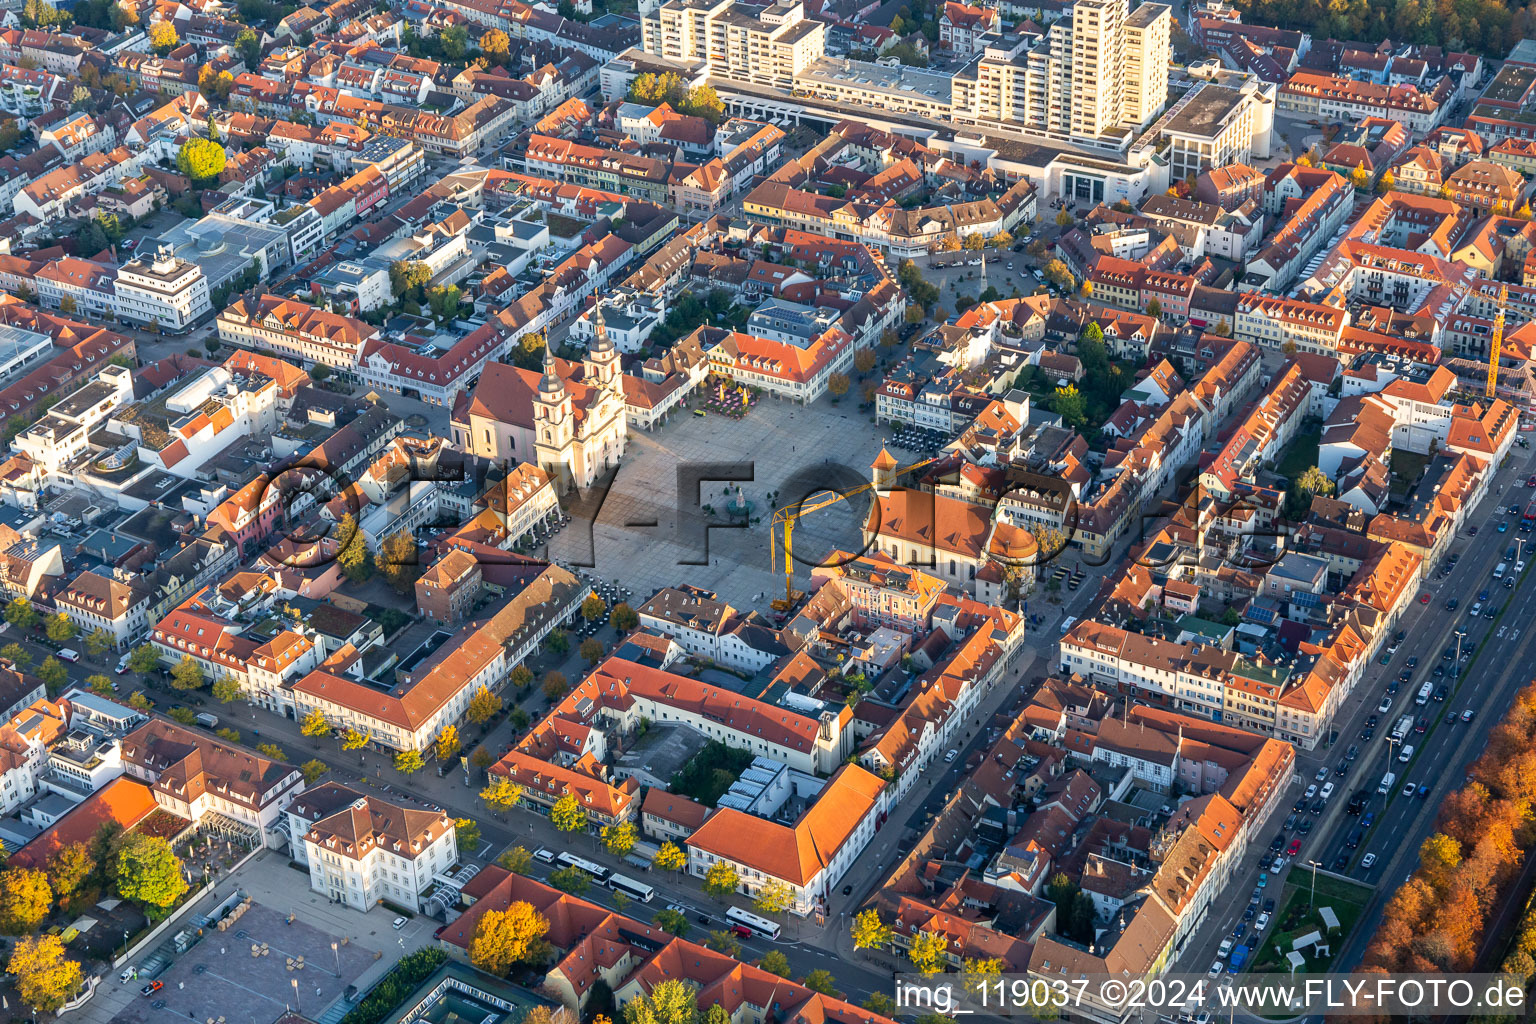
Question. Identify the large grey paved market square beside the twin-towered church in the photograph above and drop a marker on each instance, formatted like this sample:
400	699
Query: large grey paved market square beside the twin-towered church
652	537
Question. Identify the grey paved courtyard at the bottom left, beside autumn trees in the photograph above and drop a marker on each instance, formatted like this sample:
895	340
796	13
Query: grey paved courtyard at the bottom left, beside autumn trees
220	980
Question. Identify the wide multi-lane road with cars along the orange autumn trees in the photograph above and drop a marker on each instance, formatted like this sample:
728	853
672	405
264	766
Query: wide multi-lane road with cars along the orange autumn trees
1486	679
